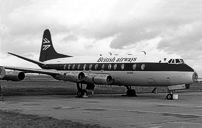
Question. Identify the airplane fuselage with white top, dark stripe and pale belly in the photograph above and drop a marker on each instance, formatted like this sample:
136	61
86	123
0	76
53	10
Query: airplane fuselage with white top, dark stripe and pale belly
128	71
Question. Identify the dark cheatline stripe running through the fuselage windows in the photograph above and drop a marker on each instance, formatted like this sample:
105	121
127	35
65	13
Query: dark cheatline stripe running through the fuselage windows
121	67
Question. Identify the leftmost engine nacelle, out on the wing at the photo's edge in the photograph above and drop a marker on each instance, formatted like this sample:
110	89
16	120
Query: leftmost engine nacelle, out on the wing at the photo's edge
13	76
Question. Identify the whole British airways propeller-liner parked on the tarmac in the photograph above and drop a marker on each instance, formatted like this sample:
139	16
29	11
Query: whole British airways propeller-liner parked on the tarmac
125	71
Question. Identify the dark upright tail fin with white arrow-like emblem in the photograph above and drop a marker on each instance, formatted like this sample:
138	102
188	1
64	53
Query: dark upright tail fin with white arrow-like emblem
47	50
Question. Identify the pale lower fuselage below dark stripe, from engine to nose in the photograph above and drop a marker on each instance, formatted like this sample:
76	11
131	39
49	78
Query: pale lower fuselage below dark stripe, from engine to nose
148	78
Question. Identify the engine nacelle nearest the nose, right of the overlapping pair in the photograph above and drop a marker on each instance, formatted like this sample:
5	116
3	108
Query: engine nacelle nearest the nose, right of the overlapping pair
101	79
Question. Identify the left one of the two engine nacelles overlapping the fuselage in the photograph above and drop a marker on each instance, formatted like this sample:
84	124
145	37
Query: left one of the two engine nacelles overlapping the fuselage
70	76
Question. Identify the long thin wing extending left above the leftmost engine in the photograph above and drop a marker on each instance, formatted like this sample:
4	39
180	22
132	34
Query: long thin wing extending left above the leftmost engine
32	70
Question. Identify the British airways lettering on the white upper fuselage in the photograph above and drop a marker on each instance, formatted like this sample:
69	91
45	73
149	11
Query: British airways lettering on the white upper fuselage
114	59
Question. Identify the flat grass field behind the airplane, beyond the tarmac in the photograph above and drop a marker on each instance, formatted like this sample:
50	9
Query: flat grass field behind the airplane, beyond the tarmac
46	85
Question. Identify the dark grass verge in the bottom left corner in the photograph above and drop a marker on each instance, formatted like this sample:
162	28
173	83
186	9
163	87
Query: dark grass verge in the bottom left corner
18	120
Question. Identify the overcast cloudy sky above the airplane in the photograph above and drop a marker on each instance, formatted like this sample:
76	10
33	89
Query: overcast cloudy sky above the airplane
89	27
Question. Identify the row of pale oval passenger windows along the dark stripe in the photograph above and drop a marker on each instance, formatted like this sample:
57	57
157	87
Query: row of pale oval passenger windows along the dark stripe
103	66
